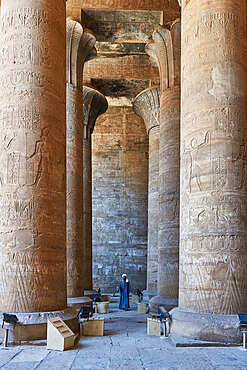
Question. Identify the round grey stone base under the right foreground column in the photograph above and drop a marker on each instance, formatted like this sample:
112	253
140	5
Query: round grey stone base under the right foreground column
206	327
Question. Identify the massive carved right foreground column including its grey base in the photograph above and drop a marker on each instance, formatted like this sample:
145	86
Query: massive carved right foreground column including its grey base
213	241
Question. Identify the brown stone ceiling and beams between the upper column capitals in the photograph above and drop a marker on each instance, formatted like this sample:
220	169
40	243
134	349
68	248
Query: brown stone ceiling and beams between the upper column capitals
122	28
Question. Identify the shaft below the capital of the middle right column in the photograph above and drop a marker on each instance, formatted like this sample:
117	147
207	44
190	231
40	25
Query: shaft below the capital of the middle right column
169	167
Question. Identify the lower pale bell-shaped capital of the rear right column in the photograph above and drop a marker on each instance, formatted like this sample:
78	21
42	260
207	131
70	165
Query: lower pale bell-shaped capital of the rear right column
147	106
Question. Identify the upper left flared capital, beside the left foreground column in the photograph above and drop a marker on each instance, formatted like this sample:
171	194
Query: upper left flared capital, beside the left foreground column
80	47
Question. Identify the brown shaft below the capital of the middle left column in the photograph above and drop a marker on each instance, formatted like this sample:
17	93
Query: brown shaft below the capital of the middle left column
75	258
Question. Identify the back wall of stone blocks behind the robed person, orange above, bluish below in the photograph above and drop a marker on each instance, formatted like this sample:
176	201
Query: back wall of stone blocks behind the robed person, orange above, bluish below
120	195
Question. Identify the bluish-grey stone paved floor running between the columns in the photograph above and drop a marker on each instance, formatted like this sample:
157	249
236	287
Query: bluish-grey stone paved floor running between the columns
124	346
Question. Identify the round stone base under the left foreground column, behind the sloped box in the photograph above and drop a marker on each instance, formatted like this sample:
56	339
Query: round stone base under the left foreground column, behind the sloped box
33	326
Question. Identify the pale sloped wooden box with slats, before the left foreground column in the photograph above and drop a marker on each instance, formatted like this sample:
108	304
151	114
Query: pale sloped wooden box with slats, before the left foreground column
59	336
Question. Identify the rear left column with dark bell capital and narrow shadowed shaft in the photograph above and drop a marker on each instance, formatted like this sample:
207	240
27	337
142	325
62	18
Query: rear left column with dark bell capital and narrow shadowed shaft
94	104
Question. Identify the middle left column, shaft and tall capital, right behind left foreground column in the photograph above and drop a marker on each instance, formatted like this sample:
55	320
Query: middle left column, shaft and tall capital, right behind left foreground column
79	48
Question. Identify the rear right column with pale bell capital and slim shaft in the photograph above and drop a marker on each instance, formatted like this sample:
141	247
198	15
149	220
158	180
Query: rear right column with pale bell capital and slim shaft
147	106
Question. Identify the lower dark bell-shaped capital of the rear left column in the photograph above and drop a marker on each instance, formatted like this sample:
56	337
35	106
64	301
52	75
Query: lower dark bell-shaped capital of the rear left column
94	104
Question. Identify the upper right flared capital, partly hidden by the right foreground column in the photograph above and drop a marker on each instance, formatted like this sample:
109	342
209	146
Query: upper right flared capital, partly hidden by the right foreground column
167	41
